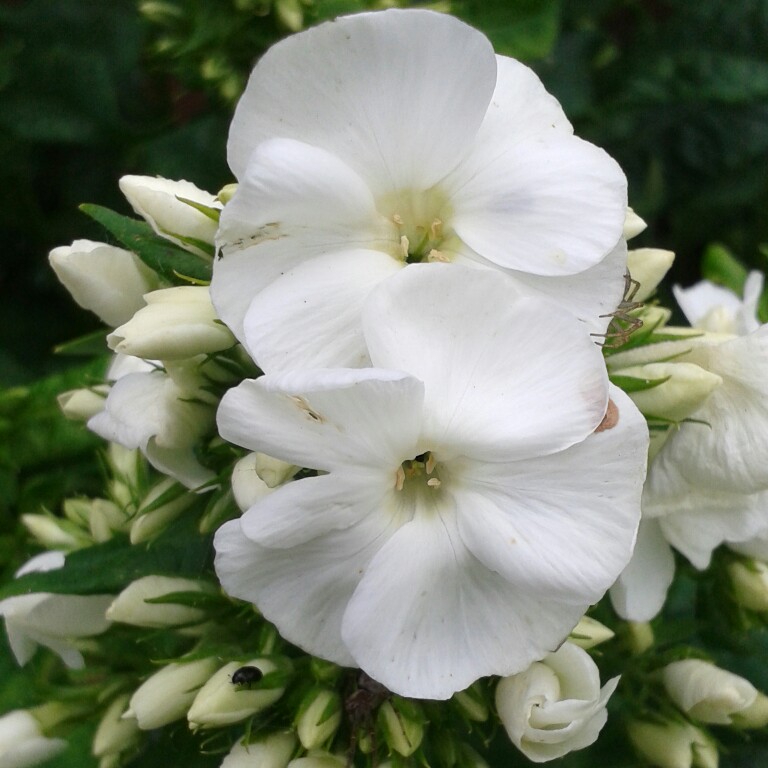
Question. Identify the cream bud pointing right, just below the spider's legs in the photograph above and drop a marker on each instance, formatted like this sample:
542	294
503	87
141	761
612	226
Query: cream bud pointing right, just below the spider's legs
686	388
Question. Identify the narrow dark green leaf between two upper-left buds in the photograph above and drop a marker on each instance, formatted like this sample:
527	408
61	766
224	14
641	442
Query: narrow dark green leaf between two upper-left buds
165	258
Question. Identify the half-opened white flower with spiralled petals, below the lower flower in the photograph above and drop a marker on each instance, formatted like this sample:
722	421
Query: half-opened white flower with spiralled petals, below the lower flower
556	706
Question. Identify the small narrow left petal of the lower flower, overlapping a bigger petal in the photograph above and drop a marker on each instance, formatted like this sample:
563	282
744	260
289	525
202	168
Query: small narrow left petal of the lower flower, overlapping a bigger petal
311	507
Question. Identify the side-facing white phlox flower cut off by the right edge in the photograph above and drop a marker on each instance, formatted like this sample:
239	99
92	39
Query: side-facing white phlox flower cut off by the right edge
708	485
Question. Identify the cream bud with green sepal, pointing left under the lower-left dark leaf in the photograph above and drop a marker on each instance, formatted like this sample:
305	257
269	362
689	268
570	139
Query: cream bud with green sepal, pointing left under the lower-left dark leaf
131	606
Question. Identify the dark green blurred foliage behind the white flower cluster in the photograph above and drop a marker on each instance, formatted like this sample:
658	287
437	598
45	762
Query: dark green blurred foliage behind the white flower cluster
676	91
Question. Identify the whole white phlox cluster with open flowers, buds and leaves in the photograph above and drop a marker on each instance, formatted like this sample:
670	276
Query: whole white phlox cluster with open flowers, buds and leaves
402	370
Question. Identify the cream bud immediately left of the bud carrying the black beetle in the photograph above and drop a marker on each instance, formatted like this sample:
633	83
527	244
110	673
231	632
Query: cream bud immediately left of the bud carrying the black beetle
167	695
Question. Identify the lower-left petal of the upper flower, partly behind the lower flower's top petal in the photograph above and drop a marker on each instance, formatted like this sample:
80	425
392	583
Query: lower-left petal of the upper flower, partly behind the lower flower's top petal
310	316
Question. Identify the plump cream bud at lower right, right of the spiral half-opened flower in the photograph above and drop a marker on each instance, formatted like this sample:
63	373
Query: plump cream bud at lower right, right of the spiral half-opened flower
706	692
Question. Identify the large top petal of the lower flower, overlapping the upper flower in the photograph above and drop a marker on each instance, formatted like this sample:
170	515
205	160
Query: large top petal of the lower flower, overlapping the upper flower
504	377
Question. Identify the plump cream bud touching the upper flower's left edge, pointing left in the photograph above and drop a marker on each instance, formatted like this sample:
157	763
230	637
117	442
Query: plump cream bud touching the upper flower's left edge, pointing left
176	323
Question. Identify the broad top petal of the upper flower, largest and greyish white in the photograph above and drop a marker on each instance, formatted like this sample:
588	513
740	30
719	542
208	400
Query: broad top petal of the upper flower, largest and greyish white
397	95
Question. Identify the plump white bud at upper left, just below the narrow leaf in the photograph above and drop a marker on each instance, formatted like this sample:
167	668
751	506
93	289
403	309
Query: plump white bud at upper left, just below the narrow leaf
106	280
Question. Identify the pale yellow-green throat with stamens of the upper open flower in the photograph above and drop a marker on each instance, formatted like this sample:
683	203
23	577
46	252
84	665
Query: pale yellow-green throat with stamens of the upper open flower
421	224
